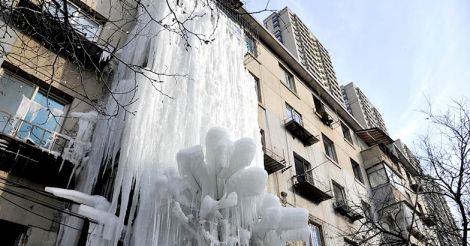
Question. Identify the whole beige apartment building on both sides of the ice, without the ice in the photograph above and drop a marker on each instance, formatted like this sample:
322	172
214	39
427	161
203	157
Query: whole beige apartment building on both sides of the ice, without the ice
318	155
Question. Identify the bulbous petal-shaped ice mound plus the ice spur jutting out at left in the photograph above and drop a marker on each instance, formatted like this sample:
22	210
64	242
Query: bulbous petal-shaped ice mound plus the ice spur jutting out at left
190	208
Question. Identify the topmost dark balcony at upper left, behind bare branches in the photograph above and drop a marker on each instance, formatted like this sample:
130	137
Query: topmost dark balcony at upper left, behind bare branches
45	22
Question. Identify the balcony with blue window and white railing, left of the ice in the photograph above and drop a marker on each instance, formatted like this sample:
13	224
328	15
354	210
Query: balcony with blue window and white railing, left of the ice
32	152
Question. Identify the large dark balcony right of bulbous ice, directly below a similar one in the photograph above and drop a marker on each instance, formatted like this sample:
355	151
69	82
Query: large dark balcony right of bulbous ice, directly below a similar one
311	189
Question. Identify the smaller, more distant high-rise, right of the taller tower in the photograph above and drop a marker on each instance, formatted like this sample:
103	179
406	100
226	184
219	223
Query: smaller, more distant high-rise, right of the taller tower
361	108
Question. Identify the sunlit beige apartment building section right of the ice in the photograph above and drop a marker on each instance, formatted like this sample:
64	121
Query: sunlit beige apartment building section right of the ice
320	157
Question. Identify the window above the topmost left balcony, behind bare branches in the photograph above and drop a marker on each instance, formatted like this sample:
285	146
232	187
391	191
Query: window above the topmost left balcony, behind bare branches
78	19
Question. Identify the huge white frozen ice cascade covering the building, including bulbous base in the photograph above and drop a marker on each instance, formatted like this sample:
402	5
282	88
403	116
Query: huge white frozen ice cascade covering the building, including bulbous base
180	179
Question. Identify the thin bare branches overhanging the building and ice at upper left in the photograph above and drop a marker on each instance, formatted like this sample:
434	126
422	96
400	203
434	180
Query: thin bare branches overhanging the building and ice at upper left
40	36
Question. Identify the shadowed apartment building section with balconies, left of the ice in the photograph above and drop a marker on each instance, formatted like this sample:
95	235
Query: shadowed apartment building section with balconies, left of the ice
47	74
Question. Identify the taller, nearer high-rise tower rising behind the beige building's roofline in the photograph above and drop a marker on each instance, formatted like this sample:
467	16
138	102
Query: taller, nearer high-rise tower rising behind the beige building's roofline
302	43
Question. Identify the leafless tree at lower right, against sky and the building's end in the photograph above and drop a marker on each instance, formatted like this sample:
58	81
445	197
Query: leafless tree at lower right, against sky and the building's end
443	180
